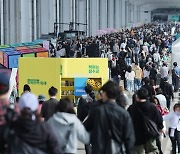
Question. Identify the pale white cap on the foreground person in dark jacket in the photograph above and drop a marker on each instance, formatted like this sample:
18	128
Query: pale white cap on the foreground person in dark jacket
28	100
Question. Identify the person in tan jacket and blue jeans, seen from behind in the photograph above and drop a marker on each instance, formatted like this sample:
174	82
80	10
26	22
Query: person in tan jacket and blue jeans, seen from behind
138	77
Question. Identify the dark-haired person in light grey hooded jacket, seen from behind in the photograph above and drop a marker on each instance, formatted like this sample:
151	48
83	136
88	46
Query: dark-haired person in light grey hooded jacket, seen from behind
67	127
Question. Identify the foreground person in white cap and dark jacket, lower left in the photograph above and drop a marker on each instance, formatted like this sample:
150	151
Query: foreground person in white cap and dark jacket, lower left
28	134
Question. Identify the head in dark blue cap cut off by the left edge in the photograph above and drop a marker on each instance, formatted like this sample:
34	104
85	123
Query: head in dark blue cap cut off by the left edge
4	83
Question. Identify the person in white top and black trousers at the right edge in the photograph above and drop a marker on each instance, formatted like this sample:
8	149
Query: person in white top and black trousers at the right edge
174	127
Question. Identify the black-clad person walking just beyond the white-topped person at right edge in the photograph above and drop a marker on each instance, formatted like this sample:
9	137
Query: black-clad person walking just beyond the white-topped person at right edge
167	92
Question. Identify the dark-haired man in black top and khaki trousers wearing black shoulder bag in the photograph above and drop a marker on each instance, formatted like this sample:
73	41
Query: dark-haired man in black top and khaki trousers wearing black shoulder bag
144	143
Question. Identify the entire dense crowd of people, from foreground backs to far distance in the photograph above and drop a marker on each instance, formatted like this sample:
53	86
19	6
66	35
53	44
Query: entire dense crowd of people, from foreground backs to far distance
108	123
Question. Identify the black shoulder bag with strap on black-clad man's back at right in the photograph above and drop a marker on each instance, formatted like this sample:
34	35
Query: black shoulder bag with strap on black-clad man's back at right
151	130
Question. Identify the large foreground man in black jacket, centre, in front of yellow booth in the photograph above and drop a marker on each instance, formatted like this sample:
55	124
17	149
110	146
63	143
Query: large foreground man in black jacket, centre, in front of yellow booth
107	119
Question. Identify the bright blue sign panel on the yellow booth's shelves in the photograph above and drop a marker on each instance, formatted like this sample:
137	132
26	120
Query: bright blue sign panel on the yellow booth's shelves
79	86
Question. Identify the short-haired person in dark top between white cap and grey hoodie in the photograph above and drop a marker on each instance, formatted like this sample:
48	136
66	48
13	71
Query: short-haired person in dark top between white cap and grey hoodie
48	107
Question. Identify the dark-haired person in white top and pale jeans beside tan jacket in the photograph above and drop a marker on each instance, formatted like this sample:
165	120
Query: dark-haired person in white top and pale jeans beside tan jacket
130	75
